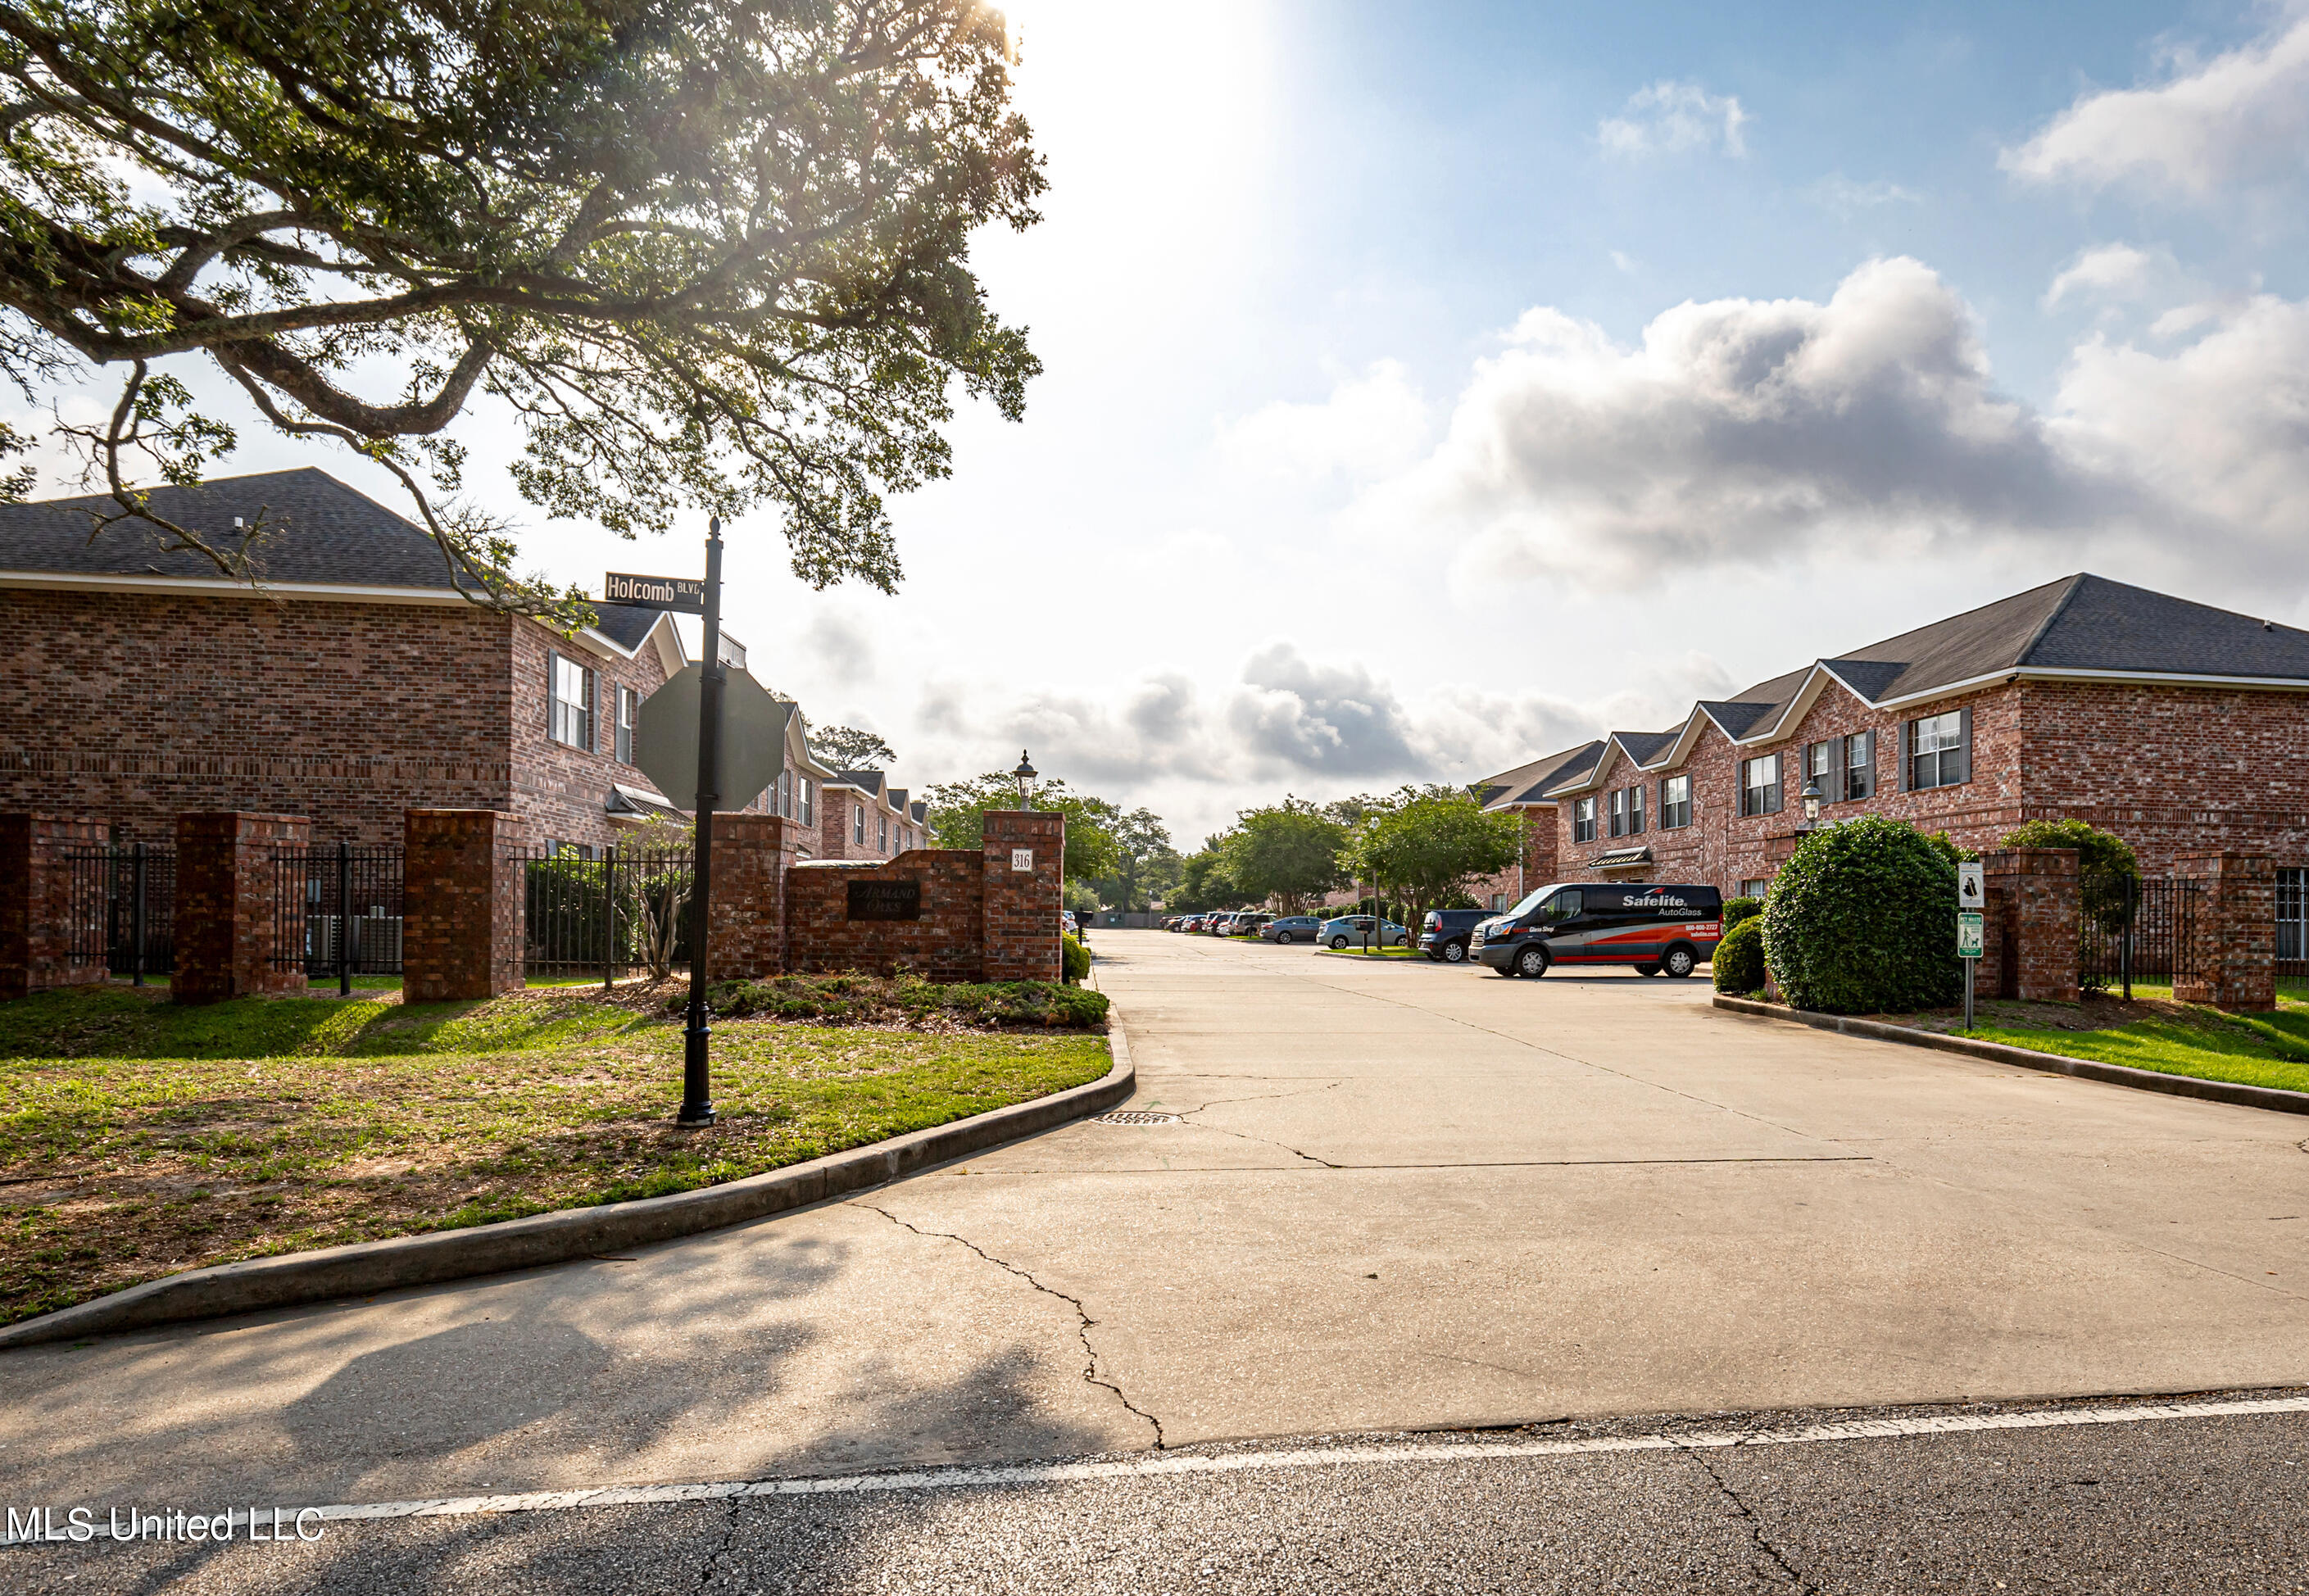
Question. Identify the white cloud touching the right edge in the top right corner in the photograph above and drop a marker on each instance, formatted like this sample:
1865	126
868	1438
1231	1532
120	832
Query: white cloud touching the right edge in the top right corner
2236	119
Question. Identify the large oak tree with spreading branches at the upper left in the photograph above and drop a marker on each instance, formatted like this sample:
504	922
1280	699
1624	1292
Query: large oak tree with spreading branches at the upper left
703	253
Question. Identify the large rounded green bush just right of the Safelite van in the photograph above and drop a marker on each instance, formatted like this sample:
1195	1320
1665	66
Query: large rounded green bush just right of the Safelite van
1862	920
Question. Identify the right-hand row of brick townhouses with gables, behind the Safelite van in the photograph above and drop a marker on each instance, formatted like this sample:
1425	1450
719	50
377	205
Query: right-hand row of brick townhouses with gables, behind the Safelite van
2167	722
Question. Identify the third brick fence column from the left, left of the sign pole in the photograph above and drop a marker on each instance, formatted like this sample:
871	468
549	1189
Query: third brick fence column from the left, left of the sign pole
463	904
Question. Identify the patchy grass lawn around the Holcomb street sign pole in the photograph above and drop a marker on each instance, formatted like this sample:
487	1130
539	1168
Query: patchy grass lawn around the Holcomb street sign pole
140	1138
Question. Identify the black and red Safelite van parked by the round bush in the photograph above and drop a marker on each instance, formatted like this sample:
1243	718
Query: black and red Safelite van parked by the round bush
1661	930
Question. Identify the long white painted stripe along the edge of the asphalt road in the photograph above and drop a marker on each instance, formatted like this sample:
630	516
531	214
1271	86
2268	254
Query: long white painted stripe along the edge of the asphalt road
1299	1459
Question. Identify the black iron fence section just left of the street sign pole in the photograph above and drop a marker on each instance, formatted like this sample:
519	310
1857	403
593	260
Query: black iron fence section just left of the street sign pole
608	918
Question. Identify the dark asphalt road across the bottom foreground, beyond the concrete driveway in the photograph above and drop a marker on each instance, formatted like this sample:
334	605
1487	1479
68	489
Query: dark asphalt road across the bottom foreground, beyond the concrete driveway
2162	1507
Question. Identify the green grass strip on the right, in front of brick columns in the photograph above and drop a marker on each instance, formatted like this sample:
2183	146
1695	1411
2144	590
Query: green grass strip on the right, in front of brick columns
2174	1038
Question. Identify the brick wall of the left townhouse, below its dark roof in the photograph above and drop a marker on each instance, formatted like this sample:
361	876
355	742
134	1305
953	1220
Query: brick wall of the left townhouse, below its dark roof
137	708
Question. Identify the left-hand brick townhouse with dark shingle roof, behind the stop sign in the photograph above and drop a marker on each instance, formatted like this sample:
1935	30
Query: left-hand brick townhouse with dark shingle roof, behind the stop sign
357	683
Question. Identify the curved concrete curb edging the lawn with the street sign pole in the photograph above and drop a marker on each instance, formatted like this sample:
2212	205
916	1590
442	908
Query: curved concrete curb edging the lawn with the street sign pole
366	1269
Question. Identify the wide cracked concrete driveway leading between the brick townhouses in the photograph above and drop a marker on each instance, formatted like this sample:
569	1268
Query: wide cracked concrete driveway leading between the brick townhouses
1396	1195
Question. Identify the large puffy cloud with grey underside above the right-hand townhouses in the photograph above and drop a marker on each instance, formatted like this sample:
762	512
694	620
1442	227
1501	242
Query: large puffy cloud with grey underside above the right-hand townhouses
1740	431
